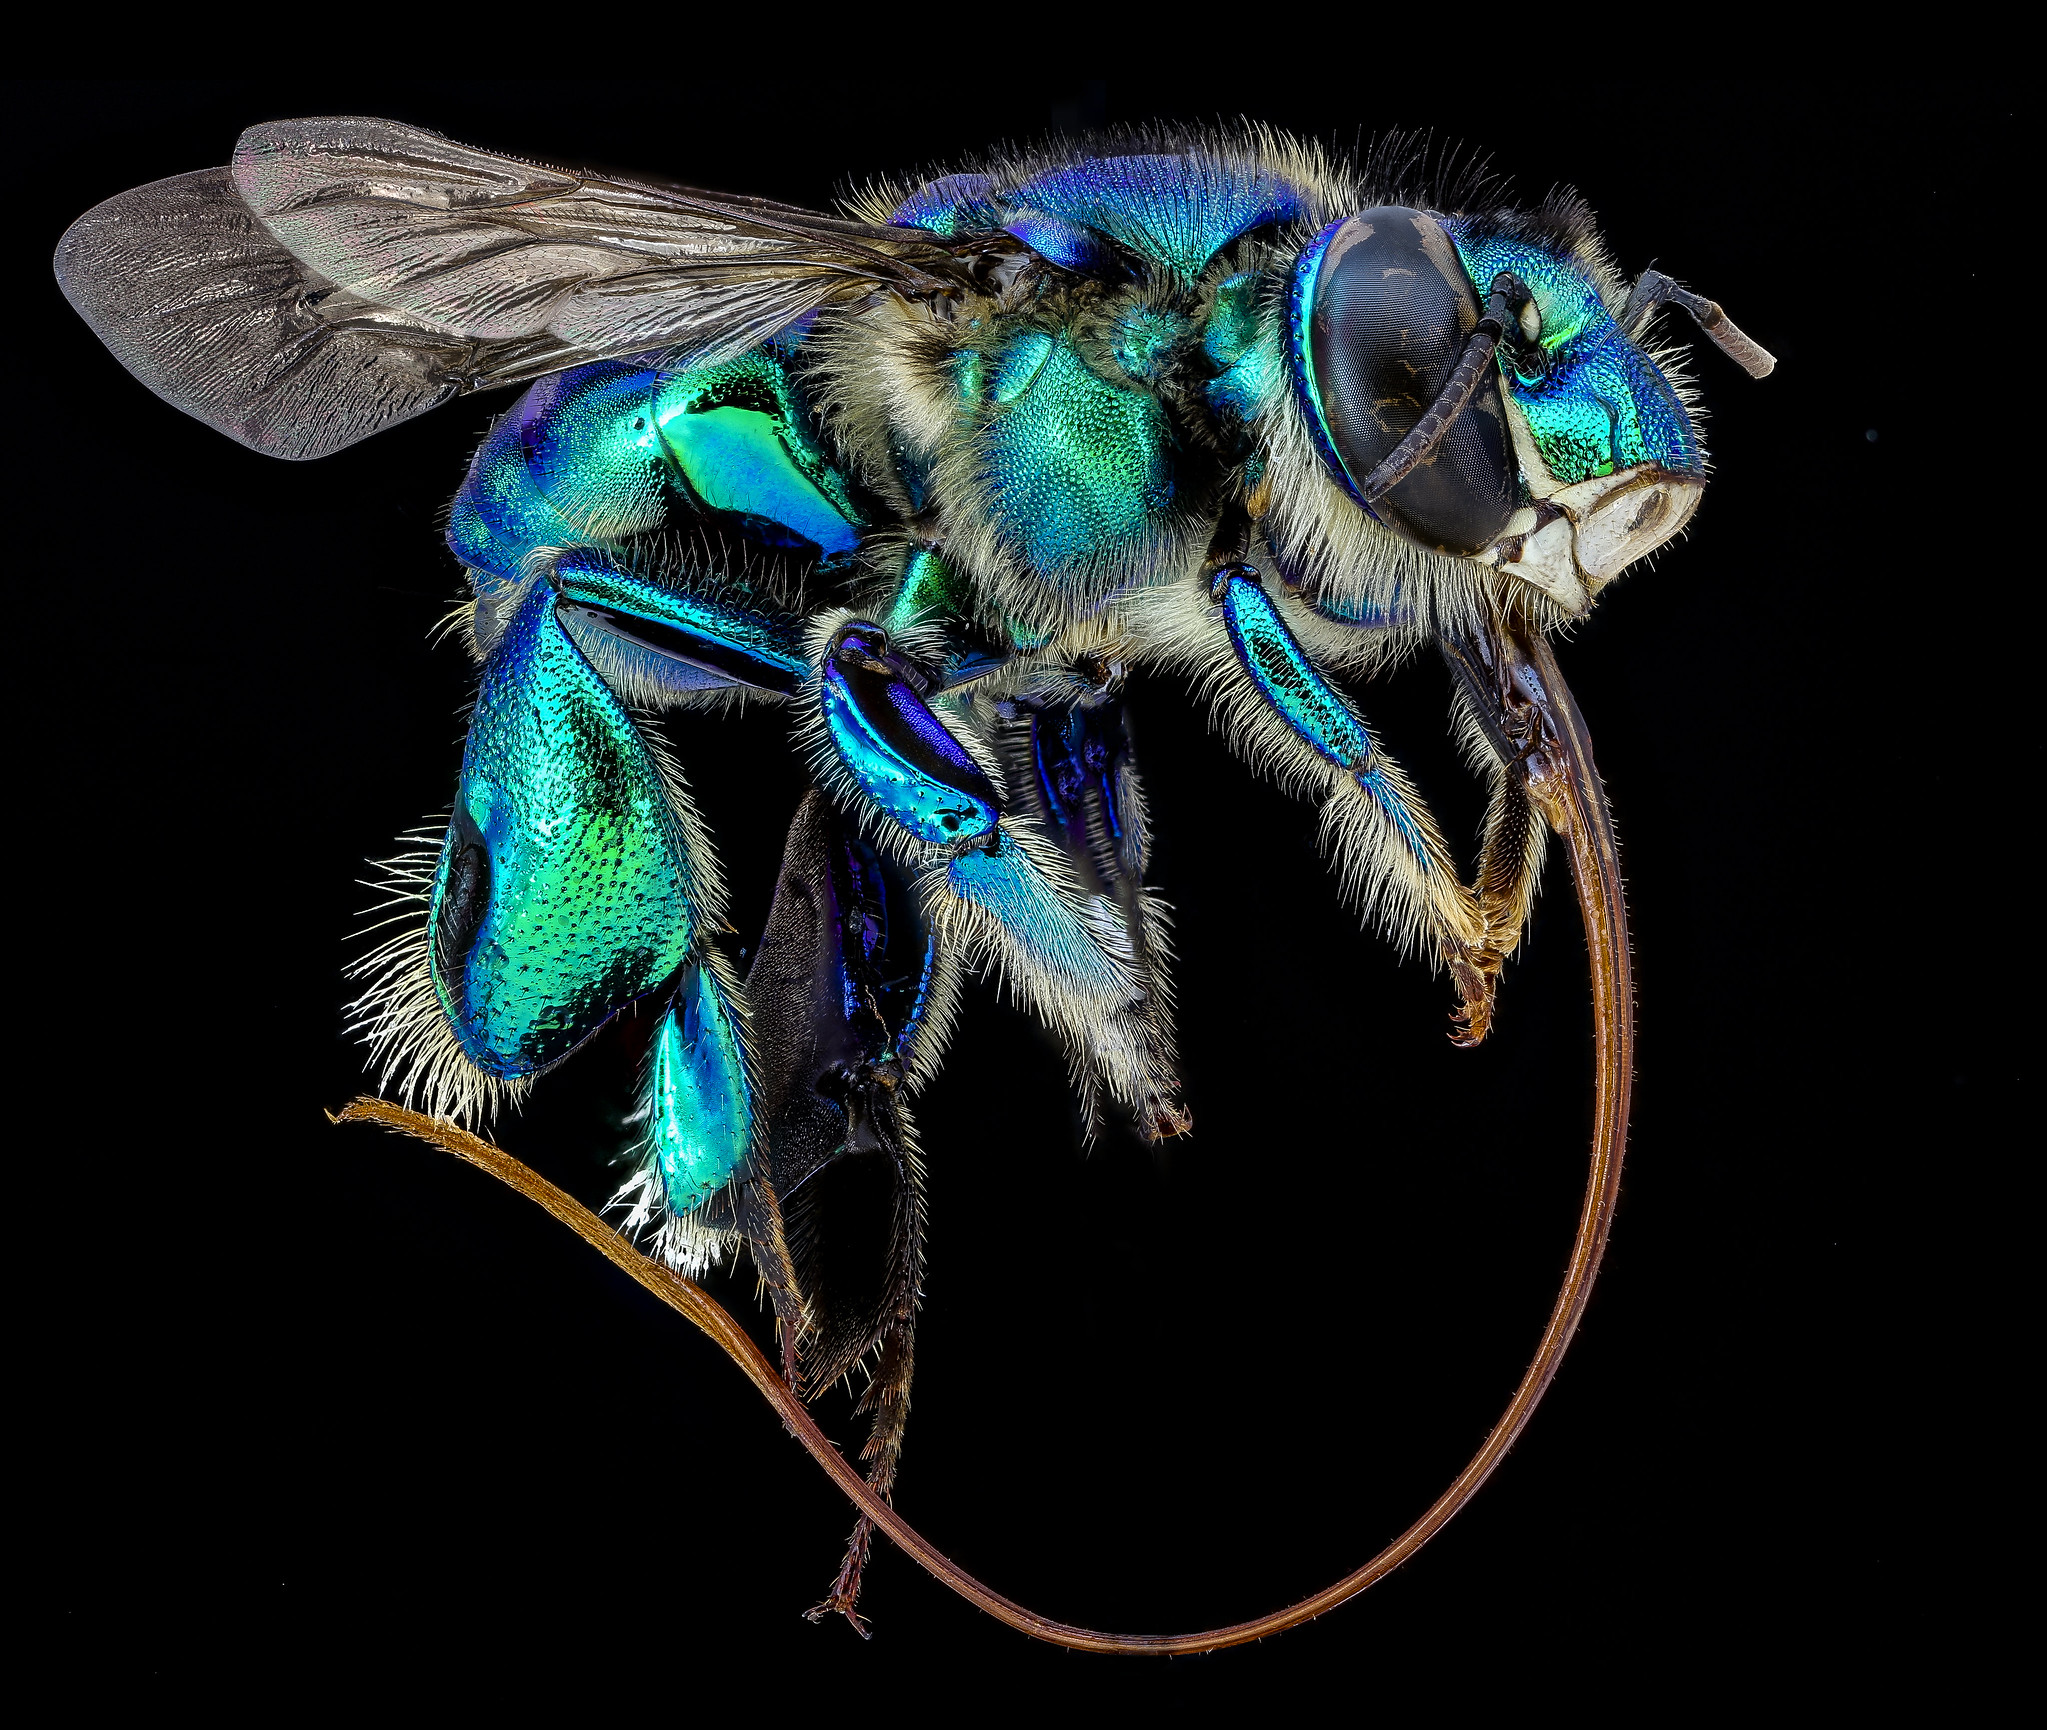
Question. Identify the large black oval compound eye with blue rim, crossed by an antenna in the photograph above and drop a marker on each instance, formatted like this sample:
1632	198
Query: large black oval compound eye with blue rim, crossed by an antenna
1381	316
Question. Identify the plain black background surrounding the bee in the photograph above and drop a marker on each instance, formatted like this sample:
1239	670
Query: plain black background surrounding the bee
318	1412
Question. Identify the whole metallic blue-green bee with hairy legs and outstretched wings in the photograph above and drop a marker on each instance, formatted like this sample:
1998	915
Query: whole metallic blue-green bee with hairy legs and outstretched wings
934	474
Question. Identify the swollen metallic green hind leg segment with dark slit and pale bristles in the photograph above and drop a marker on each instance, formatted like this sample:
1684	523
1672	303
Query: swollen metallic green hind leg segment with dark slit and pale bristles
572	883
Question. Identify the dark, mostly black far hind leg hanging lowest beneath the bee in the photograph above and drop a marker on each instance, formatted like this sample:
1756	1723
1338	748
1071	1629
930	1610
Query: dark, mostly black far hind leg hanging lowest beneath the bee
848	1000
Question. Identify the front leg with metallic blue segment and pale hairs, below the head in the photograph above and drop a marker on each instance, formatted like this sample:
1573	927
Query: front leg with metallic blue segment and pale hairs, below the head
1284	716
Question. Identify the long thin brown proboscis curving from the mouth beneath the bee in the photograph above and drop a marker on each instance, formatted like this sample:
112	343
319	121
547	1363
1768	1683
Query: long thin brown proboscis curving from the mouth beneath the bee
1567	789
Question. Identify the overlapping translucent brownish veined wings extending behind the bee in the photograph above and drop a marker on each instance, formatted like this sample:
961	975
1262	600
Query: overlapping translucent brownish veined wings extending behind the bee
345	275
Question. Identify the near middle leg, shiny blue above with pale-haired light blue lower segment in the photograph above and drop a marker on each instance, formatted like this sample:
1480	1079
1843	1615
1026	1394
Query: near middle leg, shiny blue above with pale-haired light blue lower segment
920	771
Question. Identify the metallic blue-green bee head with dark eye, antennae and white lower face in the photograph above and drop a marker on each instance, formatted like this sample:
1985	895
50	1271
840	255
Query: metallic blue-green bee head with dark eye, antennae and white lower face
1471	388
